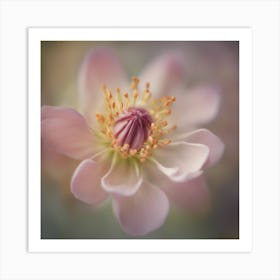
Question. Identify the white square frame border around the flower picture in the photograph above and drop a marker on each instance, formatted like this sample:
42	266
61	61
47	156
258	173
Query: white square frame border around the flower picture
243	35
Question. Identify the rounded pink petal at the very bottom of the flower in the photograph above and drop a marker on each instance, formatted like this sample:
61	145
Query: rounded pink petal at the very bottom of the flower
143	212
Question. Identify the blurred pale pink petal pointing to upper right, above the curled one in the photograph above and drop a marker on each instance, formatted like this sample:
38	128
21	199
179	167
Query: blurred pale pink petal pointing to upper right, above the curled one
198	106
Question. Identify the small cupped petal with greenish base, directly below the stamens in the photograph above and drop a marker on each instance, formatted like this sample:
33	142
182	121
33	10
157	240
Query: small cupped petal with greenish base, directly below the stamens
123	178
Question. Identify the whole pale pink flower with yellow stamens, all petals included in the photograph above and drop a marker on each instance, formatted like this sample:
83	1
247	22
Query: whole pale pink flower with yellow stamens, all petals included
139	144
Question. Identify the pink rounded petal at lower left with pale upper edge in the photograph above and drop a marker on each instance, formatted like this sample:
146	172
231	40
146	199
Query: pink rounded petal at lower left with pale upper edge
86	182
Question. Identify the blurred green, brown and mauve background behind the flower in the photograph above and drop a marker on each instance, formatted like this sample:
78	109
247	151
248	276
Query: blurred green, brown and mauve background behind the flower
63	216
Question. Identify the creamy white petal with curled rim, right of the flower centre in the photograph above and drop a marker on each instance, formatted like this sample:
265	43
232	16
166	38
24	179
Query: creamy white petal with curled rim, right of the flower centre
181	161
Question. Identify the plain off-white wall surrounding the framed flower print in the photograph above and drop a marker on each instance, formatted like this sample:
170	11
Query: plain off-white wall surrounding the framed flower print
262	262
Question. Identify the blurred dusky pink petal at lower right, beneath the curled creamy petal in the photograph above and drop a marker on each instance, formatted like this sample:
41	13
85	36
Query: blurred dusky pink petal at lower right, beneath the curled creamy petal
193	195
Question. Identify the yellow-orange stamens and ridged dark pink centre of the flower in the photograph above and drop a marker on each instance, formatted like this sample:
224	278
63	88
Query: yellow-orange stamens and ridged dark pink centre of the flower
134	124
